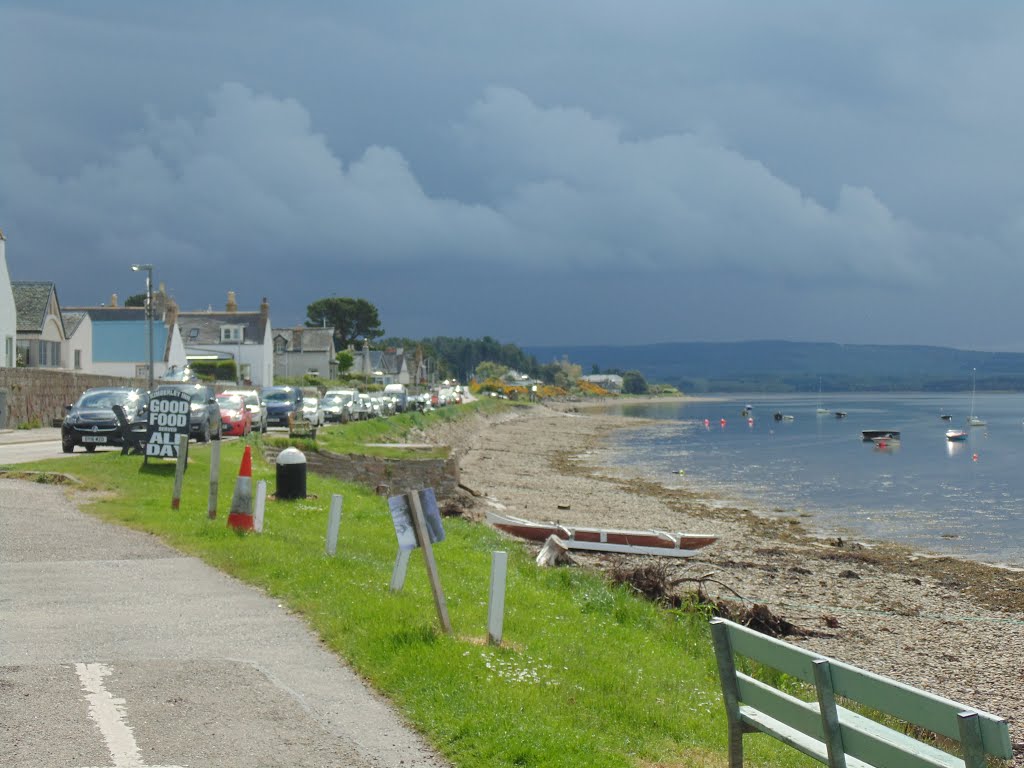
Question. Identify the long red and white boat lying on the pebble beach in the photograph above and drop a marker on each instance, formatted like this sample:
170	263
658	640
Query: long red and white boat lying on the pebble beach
605	540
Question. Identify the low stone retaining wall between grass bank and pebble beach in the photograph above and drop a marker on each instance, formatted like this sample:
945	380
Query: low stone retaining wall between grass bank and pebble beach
389	477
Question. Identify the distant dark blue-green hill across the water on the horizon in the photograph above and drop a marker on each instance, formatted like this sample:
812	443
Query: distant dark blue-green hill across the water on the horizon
796	367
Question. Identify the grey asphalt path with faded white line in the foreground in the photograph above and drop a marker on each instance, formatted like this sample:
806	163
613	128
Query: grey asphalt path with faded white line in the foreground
117	652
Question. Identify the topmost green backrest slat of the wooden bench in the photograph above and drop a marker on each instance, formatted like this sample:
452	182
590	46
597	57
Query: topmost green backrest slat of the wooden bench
918	707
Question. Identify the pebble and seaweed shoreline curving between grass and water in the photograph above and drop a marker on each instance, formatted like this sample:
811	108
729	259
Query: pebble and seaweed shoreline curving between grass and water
874	605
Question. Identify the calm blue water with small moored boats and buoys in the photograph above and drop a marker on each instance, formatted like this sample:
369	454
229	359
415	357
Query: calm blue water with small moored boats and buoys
965	499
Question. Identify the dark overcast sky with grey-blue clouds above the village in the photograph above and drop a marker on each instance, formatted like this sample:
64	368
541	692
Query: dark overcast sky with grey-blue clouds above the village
545	174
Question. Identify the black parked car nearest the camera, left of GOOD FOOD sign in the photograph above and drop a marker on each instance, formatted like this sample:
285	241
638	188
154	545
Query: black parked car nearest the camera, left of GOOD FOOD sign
91	420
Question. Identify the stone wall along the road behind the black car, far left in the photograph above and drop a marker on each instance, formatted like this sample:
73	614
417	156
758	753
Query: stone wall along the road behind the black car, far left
39	396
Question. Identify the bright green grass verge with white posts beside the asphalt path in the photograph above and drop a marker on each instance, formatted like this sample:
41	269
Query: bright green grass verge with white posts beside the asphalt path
588	674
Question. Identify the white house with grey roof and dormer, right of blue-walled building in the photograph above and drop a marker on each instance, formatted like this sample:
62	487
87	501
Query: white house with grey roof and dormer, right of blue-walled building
231	335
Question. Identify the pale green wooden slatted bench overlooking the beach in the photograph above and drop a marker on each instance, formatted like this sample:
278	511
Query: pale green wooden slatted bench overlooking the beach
833	735
